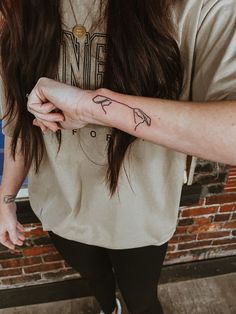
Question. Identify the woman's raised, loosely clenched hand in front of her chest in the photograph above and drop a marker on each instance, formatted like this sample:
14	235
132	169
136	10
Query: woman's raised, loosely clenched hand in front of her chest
56	105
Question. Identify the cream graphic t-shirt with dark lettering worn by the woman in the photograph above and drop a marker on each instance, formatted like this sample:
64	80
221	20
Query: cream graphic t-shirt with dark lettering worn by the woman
69	195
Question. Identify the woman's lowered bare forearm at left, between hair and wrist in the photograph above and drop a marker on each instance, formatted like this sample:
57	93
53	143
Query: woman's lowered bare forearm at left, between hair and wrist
14	173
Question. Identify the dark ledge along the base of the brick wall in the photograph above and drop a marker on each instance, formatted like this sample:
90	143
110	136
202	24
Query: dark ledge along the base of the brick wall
78	288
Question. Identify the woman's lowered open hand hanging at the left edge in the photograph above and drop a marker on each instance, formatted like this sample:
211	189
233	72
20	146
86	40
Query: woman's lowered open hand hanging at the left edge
11	231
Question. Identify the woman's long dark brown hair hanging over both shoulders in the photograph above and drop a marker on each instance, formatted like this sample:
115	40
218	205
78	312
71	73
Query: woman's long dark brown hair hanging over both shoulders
143	59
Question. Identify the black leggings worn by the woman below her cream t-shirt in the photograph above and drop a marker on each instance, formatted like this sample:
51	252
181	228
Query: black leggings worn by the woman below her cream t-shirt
136	271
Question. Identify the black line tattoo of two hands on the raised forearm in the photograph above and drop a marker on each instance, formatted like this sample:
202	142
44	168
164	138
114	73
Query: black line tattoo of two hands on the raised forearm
139	116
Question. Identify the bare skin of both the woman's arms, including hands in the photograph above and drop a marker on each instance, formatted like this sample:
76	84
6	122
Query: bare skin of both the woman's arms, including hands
186	127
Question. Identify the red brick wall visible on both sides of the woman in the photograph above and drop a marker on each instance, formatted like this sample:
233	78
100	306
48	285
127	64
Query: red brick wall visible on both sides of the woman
206	229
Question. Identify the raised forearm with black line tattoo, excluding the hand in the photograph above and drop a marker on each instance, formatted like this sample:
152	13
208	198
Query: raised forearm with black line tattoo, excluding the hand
206	130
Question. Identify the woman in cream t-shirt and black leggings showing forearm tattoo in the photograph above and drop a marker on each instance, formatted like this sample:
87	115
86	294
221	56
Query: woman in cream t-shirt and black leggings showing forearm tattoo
102	187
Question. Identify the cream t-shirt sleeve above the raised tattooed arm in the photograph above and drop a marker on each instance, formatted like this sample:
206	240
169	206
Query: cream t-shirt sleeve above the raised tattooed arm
214	71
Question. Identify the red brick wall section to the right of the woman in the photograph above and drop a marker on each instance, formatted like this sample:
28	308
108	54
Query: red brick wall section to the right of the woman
207	229
